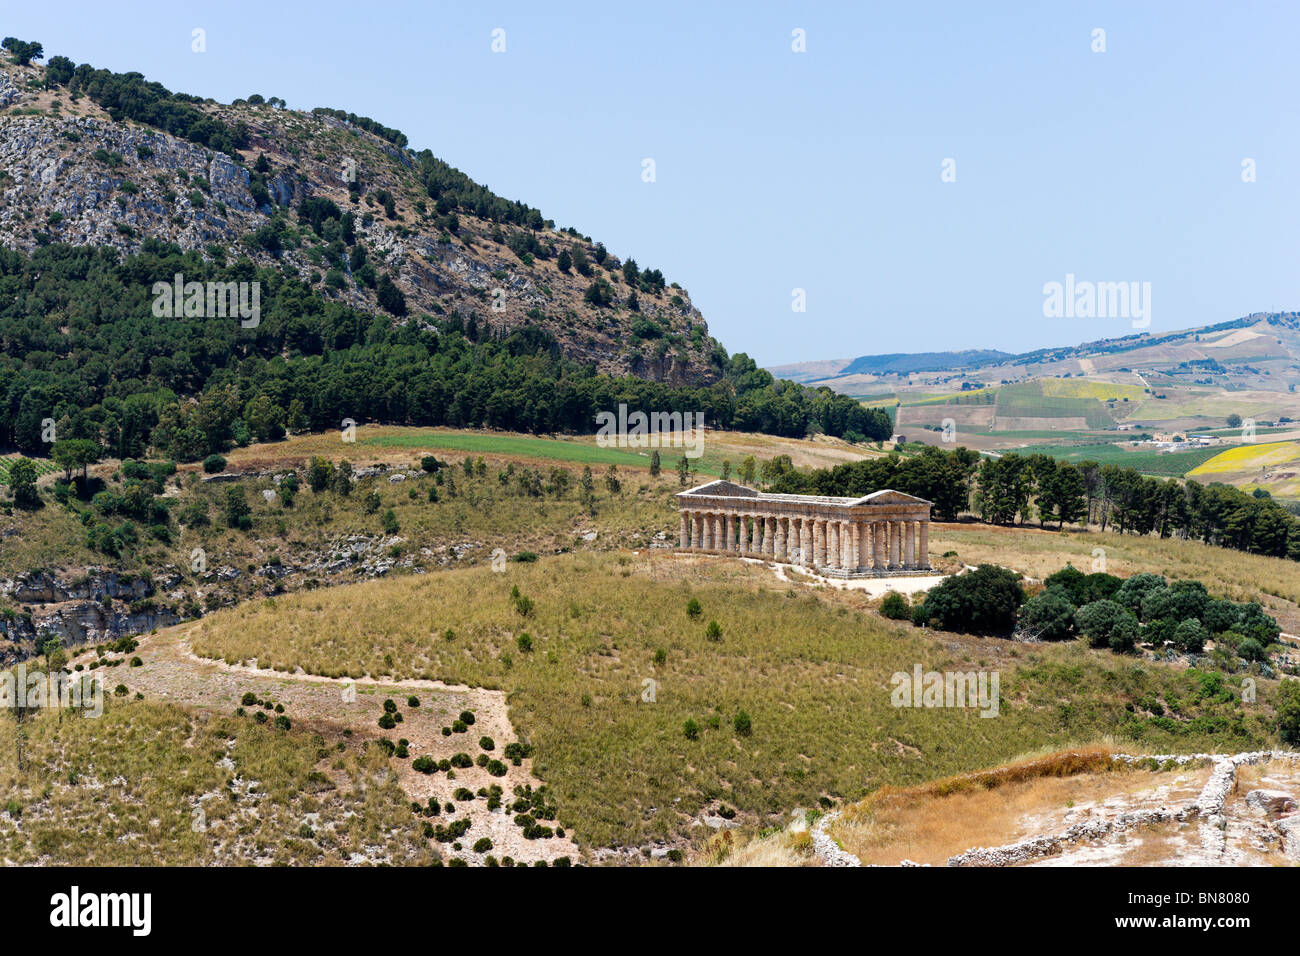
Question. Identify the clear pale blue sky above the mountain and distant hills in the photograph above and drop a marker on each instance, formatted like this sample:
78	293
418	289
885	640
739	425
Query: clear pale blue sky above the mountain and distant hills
818	171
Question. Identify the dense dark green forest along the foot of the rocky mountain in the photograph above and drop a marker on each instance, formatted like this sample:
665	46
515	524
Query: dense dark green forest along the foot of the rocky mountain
84	349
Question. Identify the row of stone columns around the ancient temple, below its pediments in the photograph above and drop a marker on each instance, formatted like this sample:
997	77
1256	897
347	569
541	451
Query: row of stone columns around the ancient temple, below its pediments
886	544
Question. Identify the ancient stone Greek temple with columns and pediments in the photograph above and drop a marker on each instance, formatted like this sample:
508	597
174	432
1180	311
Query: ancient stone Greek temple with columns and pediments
883	533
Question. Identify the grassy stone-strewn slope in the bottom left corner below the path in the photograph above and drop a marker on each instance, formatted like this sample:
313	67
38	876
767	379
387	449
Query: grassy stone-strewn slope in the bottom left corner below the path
153	782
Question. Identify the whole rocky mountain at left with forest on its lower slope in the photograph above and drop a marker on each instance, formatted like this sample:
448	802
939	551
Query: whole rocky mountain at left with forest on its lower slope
391	287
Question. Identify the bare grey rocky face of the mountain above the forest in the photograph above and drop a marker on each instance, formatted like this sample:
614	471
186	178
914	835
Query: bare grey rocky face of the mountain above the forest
70	174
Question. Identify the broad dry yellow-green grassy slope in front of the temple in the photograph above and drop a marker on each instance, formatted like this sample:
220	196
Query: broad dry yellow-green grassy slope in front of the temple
811	669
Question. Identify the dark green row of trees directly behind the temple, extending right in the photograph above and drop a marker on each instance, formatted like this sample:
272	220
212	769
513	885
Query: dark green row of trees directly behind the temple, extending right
1015	490
